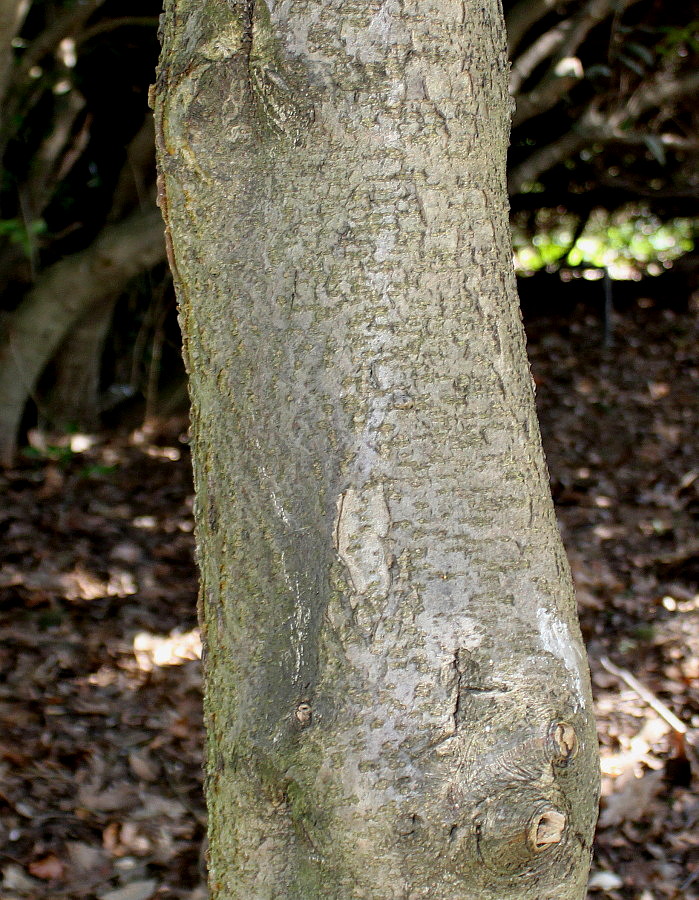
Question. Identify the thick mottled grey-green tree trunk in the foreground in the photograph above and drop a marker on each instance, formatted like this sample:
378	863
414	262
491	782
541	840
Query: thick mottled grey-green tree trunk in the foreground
397	697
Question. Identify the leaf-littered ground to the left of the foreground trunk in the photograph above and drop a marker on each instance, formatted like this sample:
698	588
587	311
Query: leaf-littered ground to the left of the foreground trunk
100	710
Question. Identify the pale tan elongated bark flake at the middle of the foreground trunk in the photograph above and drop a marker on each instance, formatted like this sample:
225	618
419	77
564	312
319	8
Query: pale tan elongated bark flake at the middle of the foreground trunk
361	527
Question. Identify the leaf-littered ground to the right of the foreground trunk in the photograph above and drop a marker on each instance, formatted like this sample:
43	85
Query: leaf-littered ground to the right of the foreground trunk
619	429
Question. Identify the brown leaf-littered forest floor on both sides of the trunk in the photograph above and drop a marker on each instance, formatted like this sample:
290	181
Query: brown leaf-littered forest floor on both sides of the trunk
100	721
